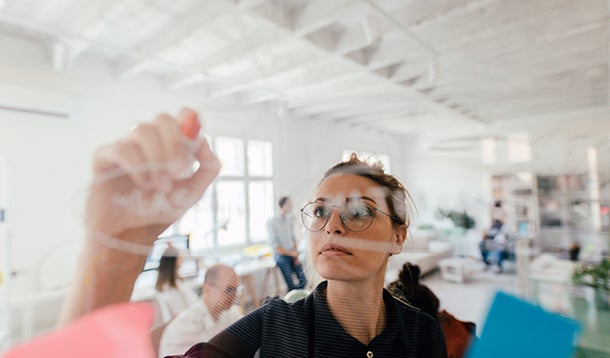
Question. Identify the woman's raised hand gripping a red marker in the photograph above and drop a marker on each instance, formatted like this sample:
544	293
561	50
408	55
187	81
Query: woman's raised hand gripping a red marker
146	180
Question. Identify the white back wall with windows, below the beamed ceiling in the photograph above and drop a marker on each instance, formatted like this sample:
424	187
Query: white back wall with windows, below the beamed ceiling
49	159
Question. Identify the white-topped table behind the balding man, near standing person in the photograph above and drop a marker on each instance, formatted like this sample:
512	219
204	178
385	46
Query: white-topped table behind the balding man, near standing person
248	271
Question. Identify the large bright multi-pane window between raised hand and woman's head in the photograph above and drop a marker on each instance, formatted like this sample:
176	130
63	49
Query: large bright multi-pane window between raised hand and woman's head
235	209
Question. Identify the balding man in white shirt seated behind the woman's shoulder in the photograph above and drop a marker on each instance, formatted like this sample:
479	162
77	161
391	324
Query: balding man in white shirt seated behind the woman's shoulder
210	315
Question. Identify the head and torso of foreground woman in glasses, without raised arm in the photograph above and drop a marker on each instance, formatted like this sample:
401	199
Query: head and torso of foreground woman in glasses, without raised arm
357	220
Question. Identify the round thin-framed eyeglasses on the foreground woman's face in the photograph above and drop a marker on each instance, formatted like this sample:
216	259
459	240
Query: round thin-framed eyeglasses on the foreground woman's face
355	216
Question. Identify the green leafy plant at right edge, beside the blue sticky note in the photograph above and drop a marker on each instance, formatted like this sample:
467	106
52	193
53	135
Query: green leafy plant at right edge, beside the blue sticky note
597	276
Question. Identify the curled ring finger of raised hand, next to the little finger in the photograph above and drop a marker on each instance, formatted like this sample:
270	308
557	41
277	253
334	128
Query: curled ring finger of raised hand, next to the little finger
148	138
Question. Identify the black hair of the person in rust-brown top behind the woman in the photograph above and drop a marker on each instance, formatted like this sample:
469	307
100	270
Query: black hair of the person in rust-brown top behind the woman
408	288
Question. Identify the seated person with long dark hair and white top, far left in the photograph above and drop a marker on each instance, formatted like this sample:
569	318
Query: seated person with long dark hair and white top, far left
172	295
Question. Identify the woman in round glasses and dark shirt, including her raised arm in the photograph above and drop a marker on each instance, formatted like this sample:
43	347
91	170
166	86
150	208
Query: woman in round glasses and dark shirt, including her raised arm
357	219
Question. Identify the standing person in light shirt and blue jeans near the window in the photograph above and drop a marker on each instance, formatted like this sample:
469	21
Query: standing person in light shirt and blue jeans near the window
282	229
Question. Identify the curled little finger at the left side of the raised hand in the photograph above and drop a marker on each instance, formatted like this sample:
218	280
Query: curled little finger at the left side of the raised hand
122	157
